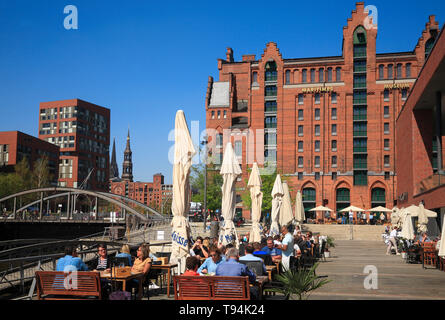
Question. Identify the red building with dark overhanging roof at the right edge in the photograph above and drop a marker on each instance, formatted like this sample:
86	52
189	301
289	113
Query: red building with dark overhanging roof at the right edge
420	136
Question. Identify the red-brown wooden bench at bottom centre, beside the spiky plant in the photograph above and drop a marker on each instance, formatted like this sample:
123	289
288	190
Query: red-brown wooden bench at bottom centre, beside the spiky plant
211	288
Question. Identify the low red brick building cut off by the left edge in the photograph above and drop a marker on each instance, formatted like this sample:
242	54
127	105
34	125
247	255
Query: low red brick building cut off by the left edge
16	145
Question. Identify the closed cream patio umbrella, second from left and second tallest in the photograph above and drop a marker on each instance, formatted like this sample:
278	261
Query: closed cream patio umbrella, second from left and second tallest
230	170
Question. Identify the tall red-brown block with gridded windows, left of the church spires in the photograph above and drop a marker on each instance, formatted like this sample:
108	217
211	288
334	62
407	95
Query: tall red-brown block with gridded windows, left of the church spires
82	131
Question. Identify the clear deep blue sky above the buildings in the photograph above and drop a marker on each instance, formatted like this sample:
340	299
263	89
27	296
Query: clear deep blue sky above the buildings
146	59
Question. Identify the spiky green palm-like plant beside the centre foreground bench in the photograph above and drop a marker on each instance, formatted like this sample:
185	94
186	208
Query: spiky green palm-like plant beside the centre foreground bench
299	284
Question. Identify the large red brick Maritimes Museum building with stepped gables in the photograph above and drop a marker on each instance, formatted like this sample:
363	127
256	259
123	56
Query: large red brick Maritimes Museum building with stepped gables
327	124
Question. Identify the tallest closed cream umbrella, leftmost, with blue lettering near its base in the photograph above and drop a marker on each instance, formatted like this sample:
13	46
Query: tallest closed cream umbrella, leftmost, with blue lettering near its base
184	152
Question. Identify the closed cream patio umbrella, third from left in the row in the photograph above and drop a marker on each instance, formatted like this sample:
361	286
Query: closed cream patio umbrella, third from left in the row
254	184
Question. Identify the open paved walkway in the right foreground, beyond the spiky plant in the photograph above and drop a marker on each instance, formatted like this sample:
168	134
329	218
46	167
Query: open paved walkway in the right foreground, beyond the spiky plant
396	278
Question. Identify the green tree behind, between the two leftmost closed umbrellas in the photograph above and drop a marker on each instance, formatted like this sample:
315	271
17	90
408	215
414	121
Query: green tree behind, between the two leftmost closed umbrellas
214	184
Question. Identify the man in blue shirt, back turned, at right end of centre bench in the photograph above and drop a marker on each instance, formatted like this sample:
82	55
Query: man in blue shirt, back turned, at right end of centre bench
232	268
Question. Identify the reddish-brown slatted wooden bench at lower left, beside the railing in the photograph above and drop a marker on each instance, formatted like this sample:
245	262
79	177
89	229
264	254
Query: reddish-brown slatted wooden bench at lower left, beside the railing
51	285
